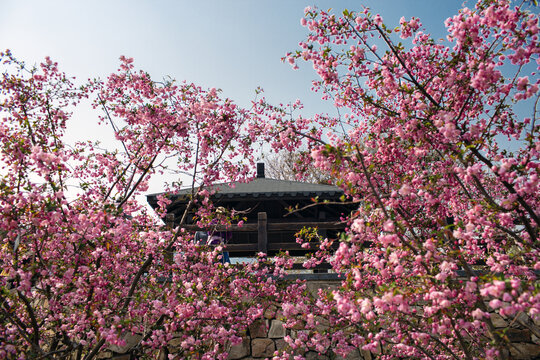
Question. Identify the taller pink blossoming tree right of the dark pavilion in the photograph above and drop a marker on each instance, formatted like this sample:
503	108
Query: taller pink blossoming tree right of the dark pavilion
434	147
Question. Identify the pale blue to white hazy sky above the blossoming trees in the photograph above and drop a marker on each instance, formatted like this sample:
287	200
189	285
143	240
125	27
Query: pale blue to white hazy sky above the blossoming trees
235	45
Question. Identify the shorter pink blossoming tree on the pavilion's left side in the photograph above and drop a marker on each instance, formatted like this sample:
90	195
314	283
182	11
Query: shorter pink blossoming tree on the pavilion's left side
84	267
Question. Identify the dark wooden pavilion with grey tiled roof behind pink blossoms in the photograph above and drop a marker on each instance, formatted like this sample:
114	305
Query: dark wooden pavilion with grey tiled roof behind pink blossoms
270	225
